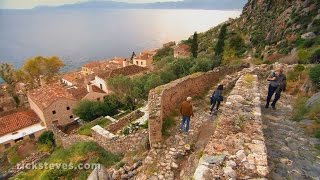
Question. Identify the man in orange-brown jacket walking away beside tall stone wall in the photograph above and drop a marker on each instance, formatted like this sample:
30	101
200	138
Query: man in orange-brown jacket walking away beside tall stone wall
186	112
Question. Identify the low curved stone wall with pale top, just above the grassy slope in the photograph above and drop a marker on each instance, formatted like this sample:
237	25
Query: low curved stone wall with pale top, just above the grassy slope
119	144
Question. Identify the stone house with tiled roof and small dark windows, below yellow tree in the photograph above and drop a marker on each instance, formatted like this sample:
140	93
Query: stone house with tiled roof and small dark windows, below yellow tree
53	104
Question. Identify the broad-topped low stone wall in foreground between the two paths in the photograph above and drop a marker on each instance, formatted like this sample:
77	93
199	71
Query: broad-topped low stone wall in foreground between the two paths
237	148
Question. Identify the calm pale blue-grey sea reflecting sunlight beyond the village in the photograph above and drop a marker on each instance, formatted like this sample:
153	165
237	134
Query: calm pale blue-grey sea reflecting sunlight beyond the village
85	35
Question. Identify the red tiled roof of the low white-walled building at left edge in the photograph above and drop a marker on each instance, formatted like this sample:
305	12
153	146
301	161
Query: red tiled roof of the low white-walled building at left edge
13	122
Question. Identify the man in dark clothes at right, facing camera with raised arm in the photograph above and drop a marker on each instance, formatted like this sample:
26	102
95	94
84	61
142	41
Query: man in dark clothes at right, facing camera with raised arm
277	85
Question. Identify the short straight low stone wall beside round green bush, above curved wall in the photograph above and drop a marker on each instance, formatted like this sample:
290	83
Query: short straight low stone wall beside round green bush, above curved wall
118	125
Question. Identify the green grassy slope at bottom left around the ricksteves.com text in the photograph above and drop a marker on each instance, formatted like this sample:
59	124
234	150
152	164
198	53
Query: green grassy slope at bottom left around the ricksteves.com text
83	152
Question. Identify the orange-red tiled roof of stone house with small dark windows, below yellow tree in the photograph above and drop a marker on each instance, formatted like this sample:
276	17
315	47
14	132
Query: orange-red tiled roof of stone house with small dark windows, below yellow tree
45	96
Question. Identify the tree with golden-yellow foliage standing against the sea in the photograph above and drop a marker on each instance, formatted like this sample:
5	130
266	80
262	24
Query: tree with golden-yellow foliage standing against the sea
39	67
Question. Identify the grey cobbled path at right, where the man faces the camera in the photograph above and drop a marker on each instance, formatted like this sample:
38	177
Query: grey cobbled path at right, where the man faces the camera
291	153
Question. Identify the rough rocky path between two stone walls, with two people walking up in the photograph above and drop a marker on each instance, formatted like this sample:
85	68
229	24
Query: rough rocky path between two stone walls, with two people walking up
172	159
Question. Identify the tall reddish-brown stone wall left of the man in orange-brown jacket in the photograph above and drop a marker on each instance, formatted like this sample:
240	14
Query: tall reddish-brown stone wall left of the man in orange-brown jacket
164	99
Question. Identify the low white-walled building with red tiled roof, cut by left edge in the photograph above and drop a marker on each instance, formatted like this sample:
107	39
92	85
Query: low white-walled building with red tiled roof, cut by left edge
18	126
